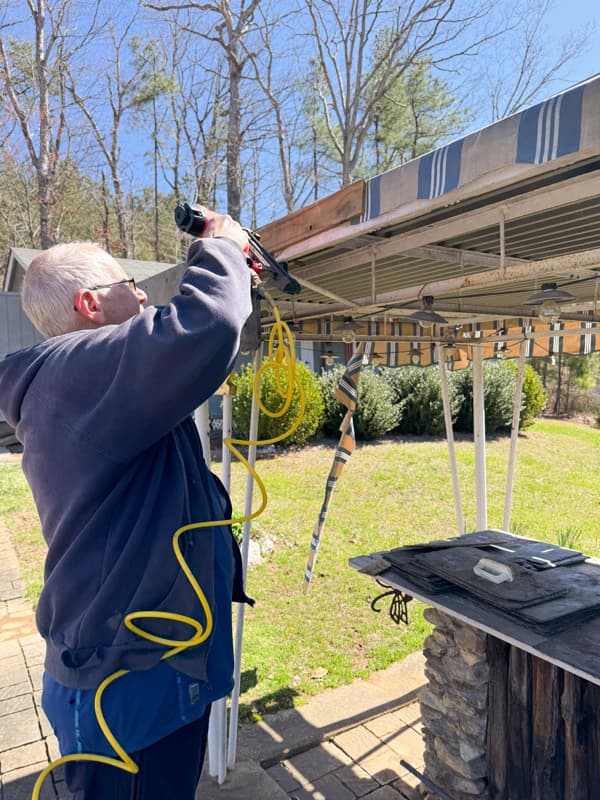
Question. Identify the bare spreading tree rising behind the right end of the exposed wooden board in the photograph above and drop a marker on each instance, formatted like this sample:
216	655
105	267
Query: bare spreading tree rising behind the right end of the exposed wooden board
364	46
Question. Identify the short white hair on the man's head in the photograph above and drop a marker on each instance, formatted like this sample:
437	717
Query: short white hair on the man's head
54	277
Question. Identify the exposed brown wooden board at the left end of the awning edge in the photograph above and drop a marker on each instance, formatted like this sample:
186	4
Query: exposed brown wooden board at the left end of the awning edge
320	216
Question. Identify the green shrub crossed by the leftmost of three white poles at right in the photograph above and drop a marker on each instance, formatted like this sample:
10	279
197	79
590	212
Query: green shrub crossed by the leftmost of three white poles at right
418	392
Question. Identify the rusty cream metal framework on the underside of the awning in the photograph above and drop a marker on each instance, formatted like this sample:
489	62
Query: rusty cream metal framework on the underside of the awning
477	273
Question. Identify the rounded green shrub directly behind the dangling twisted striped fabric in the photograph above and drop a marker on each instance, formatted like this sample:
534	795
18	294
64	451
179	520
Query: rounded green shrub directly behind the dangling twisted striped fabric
375	413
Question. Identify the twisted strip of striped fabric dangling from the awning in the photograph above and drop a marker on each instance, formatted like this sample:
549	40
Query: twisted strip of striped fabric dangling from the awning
347	394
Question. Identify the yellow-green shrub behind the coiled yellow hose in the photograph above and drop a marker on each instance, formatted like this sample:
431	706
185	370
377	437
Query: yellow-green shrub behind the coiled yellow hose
270	427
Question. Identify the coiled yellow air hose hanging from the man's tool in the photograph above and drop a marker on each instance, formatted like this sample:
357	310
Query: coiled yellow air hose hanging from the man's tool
282	360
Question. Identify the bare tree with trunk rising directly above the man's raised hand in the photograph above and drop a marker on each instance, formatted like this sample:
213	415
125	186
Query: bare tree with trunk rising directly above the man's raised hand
228	31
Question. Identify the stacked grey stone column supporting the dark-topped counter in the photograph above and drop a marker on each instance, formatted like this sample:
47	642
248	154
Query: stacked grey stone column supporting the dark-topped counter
454	708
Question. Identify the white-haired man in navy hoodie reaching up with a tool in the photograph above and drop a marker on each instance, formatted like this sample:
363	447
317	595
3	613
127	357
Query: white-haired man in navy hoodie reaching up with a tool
115	465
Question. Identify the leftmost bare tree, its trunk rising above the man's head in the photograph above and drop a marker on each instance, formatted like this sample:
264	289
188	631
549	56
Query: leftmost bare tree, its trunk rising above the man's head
33	72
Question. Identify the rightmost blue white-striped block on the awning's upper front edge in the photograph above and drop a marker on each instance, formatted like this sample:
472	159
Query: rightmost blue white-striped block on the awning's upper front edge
550	129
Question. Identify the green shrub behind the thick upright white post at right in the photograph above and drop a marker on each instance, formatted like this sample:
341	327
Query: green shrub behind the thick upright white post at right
499	392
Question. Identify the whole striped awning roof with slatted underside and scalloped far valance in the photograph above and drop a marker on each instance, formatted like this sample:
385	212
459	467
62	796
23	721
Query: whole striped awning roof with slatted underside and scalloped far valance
477	227
